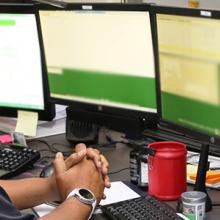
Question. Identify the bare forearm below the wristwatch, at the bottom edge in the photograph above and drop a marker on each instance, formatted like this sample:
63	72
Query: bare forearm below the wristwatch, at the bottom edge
70	209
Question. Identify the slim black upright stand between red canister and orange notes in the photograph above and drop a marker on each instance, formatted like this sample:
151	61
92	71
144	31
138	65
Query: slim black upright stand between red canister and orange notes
201	174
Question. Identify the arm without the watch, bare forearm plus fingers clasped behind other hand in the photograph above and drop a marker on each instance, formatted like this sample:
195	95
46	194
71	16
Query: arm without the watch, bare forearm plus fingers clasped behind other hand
30	192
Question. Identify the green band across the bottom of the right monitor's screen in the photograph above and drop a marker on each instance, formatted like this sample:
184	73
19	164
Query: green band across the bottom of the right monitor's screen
202	116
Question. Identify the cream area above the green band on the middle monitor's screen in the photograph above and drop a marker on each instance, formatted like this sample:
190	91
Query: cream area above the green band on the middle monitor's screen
115	42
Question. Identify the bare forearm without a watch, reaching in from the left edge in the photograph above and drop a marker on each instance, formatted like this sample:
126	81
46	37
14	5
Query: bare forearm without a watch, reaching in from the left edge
28	192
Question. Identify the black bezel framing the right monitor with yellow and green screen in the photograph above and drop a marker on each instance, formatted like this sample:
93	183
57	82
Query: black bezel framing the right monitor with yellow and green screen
163	123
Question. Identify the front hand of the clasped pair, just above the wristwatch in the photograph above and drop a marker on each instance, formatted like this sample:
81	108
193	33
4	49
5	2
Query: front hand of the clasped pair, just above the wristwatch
83	174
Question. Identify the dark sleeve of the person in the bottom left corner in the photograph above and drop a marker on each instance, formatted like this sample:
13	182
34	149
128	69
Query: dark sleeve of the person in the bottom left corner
8	211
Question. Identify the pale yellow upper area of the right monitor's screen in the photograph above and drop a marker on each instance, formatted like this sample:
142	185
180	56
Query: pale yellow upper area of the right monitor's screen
189	56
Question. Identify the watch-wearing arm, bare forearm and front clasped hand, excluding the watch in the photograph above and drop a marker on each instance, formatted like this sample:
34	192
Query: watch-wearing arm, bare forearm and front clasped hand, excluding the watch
83	174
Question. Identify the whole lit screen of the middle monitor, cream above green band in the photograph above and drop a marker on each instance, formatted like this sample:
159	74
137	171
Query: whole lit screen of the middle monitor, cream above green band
100	57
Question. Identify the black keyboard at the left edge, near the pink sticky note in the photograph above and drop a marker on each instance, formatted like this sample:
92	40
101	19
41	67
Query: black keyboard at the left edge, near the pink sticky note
16	159
